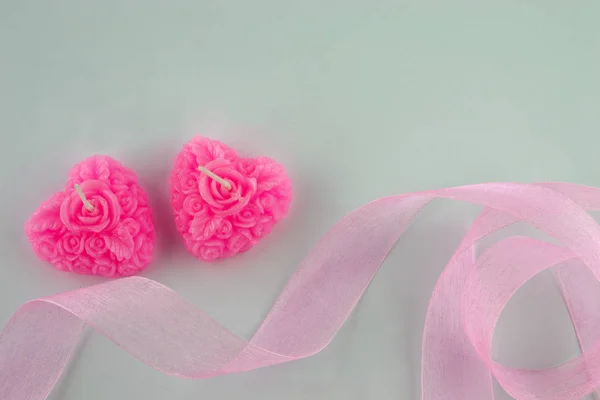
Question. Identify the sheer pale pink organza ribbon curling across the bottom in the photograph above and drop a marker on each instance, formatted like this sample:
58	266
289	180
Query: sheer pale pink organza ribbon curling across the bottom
156	325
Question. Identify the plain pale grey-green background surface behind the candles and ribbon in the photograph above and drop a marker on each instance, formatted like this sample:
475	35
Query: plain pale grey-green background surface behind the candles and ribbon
359	99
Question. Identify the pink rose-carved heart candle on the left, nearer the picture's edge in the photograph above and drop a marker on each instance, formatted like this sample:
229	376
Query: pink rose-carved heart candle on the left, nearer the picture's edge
101	224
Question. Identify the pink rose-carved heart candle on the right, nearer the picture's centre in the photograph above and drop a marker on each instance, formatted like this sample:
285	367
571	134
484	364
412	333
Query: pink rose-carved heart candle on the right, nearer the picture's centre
224	204
